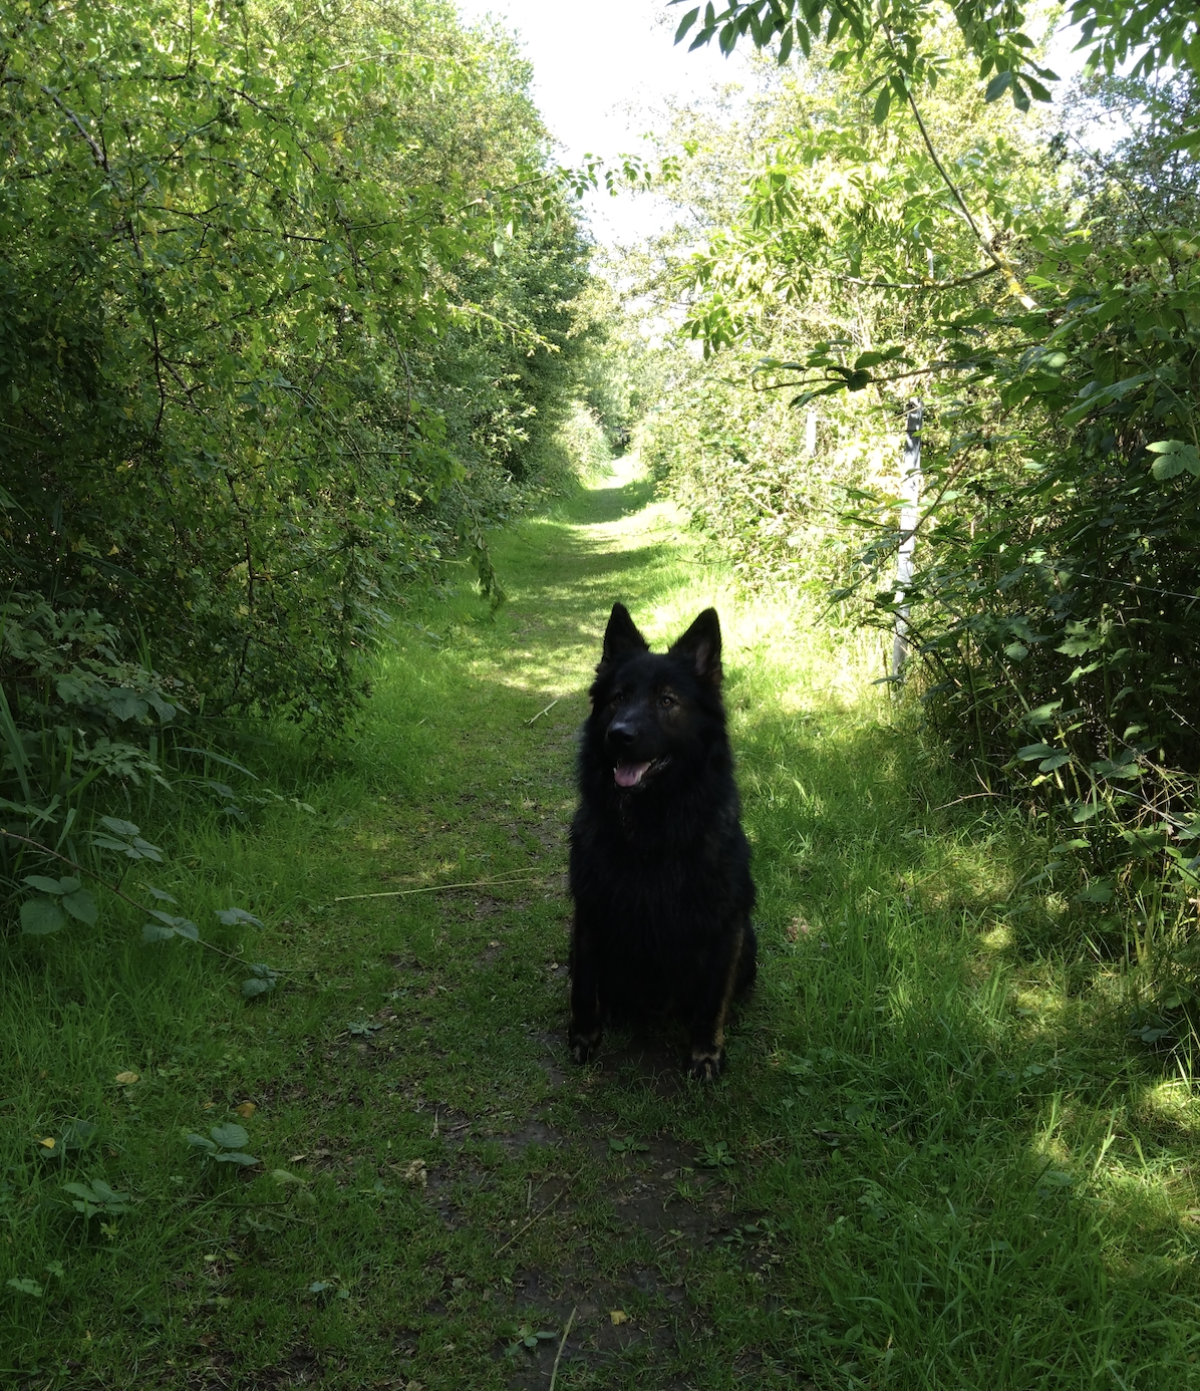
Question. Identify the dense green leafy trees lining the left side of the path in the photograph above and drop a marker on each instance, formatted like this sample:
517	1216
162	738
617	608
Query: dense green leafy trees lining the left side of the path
286	303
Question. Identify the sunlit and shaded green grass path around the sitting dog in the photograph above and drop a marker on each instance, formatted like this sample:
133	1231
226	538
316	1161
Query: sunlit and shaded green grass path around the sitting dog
937	1161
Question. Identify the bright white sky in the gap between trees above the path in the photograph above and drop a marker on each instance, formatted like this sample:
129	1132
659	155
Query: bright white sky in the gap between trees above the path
594	67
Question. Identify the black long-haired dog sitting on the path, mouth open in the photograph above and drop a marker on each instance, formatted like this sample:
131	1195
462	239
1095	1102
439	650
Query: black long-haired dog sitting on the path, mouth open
660	866
